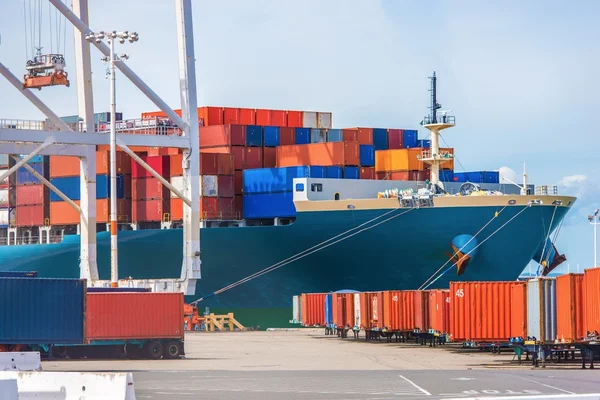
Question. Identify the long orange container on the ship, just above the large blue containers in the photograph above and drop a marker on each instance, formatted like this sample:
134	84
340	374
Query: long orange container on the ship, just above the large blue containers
325	154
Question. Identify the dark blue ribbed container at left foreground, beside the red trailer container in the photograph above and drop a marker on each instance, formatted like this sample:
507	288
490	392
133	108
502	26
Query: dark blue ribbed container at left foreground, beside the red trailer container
42	311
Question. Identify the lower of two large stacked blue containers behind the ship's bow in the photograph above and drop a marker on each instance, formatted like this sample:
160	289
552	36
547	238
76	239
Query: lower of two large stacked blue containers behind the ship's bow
269	205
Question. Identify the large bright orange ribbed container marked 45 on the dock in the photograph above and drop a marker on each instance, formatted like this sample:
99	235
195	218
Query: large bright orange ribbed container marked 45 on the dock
481	311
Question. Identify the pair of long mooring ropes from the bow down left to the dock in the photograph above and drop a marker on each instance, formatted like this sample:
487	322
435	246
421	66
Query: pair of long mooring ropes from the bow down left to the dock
318	247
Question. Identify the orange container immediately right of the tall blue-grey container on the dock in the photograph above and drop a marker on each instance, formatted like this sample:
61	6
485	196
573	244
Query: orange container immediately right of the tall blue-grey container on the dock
569	307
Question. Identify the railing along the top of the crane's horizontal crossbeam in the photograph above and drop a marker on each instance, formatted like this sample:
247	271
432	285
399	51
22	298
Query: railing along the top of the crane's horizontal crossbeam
146	126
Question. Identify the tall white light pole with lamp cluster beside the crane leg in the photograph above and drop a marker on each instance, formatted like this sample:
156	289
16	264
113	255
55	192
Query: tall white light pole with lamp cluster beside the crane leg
111	37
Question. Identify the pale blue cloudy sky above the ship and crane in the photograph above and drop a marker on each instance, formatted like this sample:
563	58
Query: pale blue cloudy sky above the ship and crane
519	76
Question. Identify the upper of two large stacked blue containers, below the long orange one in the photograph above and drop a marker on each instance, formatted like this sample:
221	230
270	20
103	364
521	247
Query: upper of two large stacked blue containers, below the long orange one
274	180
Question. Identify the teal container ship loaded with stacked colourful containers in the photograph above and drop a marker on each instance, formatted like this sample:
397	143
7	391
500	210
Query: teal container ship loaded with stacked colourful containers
356	208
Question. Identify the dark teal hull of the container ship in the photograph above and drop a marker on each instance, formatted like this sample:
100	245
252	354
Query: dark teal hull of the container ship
401	252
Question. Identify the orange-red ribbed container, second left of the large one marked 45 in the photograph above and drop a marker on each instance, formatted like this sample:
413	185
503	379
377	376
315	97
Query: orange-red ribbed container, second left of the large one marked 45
399	310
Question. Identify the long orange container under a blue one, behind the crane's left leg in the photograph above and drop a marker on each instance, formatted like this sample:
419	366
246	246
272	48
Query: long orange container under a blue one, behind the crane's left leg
61	213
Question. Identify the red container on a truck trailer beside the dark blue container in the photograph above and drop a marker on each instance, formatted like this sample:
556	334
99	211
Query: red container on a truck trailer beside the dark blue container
115	316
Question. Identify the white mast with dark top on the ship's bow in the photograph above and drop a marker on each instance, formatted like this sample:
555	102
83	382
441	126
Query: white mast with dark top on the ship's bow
435	124
